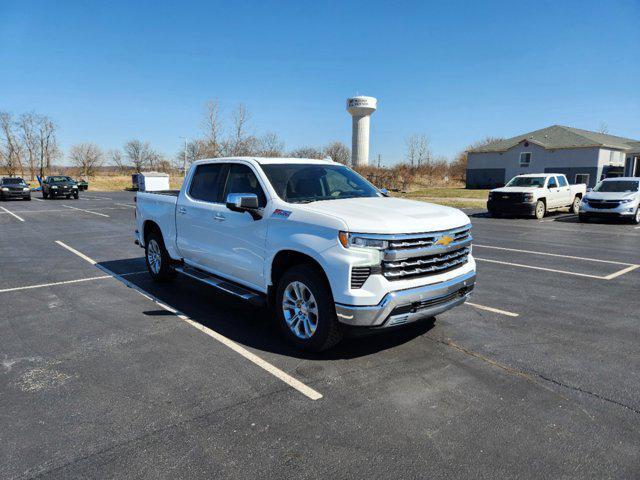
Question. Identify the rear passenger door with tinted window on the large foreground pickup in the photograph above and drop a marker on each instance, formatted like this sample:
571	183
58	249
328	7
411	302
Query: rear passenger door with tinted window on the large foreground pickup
198	212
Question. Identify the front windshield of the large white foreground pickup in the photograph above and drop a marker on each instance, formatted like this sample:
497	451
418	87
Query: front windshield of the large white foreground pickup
306	182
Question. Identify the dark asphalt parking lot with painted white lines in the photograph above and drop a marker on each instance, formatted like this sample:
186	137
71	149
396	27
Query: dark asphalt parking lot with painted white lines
107	375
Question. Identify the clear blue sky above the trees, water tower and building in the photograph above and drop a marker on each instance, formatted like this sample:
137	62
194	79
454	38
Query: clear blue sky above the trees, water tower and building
457	70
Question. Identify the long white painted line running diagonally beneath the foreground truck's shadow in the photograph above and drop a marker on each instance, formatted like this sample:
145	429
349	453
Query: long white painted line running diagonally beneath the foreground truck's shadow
252	357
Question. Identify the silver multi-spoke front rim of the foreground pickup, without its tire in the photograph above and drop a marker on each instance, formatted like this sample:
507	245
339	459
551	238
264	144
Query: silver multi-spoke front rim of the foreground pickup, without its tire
300	310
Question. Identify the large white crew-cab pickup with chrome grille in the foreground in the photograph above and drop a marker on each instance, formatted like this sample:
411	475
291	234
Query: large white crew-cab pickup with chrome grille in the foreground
313	240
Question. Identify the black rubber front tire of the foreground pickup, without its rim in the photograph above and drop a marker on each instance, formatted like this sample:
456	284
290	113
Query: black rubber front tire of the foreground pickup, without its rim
327	331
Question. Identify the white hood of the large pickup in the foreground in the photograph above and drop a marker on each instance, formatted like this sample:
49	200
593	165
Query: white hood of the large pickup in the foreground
391	215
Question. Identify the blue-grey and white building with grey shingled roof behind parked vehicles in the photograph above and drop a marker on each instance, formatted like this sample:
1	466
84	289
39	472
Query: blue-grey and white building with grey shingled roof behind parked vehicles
583	156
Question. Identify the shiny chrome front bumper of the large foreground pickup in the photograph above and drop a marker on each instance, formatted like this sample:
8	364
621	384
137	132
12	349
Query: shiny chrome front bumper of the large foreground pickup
405	306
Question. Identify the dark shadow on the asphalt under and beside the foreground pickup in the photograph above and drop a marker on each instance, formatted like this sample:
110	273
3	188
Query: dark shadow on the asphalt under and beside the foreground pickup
248	325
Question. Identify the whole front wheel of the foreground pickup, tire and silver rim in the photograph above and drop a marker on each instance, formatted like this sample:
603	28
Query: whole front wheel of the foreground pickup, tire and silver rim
305	309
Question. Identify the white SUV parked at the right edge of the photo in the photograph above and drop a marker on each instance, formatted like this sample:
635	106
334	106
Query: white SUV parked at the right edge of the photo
613	198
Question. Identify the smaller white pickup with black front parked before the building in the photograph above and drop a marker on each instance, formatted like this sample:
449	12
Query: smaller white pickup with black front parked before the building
536	194
